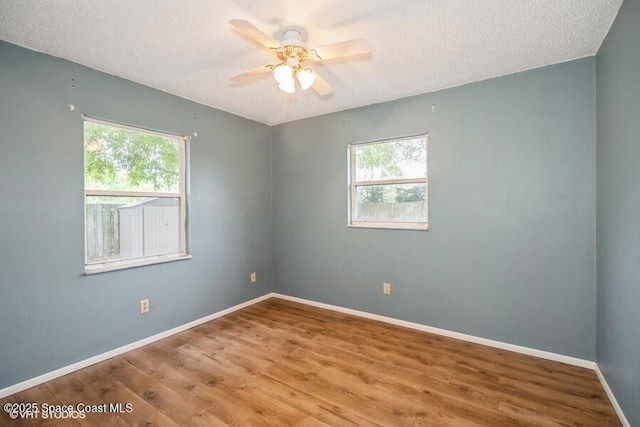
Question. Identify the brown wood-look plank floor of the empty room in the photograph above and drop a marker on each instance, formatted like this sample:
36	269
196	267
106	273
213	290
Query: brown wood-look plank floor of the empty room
278	363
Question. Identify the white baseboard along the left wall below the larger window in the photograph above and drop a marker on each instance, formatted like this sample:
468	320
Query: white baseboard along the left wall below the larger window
115	352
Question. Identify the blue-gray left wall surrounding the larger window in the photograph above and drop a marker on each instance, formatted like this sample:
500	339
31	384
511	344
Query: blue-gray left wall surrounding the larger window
50	314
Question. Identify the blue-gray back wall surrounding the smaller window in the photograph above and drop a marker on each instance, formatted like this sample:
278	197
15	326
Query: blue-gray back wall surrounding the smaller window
510	251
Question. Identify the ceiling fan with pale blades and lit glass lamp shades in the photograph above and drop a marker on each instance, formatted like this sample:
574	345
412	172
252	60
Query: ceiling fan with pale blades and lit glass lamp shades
294	57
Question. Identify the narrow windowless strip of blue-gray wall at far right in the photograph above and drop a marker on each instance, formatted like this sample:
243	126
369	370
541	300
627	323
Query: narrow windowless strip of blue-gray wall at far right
618	213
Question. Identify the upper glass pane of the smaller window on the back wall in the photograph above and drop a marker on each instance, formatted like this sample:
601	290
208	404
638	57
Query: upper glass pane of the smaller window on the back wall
404	158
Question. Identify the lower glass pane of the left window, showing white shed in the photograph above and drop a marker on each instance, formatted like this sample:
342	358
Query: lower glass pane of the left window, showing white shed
131	227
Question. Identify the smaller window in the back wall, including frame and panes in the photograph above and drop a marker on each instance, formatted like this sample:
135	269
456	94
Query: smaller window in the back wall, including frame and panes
388	184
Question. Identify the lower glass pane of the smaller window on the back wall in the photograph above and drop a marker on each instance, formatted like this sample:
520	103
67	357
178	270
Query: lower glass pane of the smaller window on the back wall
391	203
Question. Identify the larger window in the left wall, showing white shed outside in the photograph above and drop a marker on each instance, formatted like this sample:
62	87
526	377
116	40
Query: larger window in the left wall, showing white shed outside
135	207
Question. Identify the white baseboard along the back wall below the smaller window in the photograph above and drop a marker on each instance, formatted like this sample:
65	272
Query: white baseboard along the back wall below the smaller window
484	341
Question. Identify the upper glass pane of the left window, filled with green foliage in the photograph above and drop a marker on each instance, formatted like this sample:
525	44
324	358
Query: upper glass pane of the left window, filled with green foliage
119	159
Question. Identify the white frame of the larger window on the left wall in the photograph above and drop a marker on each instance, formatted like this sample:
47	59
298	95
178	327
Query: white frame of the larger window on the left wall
181	195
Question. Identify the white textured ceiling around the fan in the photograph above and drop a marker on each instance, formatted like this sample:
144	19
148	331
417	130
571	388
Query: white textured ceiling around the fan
187	47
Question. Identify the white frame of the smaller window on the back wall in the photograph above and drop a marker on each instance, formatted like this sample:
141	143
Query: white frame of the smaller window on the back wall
354	184
